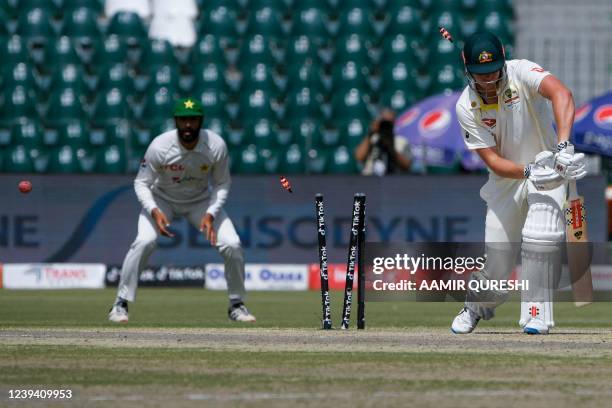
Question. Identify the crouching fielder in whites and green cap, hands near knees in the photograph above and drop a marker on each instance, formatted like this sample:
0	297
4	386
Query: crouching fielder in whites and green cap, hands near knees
185	172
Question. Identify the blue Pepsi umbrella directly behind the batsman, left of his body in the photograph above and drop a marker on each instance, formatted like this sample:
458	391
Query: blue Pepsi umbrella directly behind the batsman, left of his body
432	129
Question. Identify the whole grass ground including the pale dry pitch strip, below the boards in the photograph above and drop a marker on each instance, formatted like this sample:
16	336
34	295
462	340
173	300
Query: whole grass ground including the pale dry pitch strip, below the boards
496	366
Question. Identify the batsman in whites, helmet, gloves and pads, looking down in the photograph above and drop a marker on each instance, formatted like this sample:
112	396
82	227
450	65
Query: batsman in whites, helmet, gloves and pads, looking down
506	115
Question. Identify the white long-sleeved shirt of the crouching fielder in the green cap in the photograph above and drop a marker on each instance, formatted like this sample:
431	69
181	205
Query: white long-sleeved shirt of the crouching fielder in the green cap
183	176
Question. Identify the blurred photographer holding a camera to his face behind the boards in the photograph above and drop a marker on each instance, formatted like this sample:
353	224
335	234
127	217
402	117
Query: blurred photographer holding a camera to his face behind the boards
381	151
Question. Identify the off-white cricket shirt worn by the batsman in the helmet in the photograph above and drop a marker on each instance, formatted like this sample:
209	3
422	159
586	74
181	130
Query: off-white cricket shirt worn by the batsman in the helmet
520	124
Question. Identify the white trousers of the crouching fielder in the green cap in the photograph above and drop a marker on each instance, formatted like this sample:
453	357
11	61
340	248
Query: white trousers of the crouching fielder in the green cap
228	245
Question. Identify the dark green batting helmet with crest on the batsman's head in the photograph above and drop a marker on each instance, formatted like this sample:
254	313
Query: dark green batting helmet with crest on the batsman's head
483	53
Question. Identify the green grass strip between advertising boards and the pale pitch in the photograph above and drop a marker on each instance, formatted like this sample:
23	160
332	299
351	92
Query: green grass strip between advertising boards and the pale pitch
200	308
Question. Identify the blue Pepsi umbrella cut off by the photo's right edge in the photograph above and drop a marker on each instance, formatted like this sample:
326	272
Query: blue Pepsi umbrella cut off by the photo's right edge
593	126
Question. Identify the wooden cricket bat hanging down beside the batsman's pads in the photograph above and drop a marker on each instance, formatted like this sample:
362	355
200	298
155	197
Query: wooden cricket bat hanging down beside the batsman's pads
578	253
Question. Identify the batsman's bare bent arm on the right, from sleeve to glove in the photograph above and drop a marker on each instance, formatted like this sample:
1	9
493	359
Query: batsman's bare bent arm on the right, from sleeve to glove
562	104
